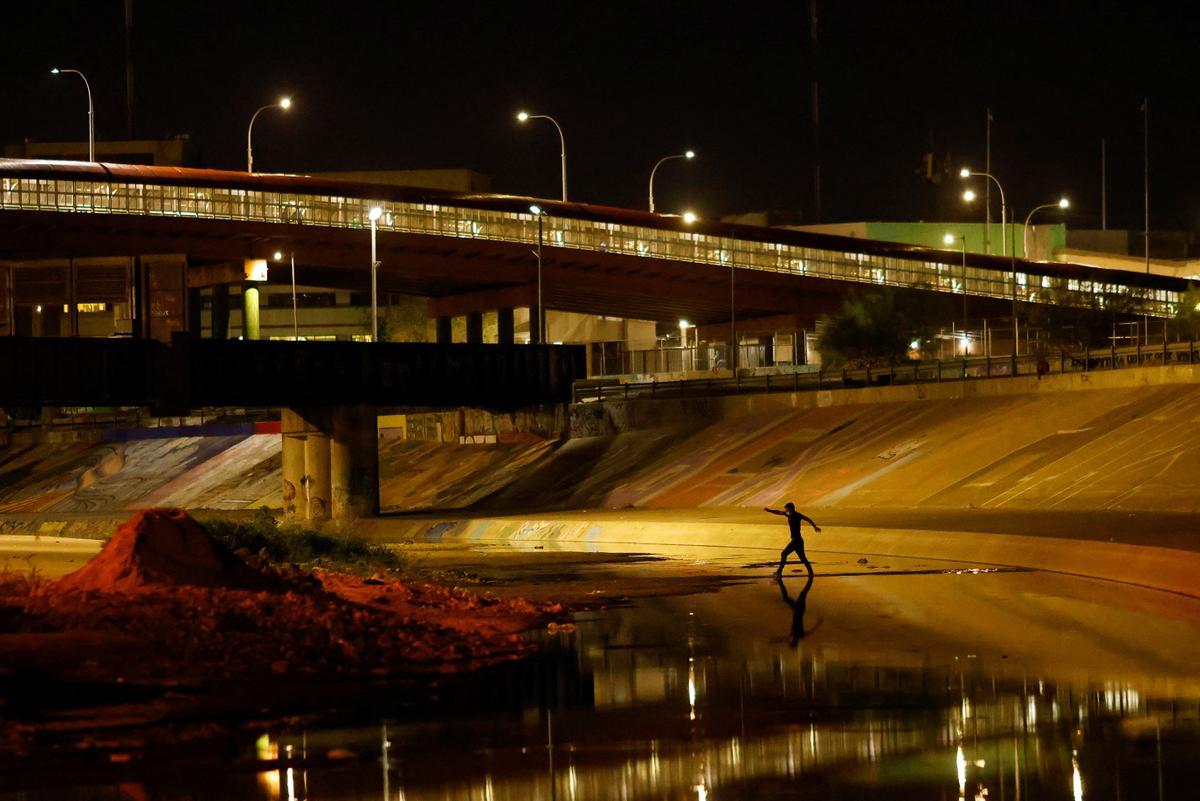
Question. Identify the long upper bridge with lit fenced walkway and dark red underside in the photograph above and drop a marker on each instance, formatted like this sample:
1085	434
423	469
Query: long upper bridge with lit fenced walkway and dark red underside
472	252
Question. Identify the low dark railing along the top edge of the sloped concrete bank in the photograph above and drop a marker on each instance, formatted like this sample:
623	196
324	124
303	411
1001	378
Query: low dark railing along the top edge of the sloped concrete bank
911	372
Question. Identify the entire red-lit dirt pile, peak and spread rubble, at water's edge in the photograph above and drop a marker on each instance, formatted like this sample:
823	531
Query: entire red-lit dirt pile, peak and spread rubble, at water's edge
164	603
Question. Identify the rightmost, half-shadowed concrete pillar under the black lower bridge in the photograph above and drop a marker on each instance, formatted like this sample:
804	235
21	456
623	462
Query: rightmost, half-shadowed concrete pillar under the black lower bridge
355	462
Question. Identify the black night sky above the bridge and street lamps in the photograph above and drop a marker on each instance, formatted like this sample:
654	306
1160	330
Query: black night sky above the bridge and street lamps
436	85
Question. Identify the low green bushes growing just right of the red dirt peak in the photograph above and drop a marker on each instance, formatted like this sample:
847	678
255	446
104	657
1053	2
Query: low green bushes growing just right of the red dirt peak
297	545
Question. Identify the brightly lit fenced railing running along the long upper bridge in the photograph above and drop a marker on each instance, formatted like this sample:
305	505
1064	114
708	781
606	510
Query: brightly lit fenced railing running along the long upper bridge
897	269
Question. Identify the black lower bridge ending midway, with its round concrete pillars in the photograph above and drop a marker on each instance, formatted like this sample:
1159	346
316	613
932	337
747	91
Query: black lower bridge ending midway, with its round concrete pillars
329	394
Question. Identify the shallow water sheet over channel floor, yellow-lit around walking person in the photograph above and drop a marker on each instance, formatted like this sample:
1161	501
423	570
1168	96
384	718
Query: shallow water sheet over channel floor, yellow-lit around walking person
699	677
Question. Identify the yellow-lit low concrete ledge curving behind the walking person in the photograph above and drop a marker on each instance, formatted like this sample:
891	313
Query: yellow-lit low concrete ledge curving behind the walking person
1160	569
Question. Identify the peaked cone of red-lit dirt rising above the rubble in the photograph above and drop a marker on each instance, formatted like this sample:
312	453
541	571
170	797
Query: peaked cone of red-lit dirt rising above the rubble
163	547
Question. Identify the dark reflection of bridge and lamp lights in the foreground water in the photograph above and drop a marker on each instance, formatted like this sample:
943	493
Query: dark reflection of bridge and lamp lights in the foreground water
599	715
